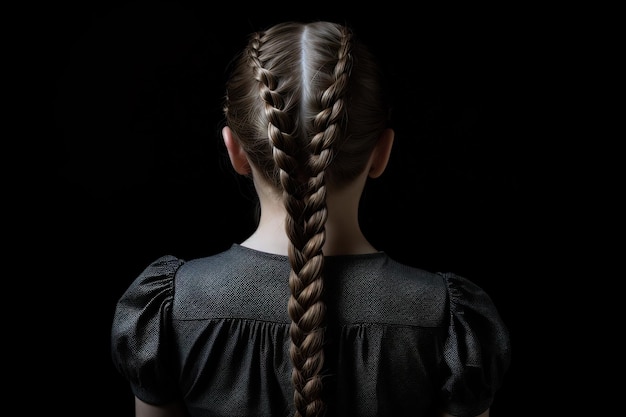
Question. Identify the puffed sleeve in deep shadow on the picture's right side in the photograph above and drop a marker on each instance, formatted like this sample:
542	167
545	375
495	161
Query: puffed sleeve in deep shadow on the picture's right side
477	350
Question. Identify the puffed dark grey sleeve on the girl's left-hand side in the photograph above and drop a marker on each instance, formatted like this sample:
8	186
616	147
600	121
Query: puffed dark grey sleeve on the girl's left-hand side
140	329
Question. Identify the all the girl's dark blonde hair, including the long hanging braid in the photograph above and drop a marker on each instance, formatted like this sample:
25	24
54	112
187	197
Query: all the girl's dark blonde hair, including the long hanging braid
307	104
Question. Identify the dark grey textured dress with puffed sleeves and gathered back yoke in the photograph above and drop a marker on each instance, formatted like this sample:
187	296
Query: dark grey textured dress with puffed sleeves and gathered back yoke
400	341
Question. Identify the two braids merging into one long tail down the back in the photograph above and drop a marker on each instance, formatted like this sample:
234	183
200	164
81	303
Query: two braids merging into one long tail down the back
305	201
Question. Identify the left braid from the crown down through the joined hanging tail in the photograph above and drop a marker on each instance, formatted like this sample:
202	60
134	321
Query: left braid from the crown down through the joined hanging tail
305	306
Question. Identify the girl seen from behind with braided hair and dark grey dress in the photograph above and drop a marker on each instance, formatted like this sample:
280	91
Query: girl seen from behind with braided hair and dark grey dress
305	317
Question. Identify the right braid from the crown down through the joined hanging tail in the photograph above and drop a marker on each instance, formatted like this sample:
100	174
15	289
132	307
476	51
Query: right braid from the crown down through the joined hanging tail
306	306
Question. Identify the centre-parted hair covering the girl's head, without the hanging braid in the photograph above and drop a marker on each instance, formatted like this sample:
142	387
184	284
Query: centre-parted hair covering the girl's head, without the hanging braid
306	79
